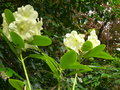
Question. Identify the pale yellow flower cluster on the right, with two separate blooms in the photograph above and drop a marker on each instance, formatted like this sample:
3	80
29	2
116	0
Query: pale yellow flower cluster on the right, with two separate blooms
75	41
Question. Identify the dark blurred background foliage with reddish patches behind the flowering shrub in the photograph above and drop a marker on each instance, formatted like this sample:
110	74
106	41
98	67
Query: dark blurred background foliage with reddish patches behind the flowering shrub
61	17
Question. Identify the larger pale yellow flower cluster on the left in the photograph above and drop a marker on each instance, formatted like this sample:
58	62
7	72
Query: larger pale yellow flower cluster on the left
26	23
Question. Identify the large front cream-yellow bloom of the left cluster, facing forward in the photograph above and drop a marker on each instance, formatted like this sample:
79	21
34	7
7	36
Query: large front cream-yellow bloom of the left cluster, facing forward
25	28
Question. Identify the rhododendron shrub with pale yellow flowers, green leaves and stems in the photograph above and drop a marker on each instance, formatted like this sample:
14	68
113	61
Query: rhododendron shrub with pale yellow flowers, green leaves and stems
22	30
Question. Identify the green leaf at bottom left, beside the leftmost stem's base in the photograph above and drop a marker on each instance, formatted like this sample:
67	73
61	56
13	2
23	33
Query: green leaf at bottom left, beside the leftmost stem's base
17	84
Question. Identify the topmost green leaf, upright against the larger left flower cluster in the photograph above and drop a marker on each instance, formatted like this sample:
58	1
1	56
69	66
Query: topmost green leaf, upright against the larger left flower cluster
9	16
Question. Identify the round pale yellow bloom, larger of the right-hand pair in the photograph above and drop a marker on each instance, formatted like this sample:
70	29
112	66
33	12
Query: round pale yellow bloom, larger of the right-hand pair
74	41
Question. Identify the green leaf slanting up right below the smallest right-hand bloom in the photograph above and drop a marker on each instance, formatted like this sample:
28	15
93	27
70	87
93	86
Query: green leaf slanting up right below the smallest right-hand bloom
93	52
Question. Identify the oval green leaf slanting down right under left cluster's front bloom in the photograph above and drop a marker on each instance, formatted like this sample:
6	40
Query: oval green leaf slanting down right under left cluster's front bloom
17	40
